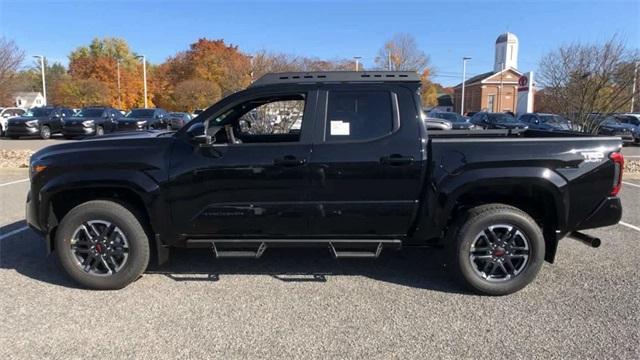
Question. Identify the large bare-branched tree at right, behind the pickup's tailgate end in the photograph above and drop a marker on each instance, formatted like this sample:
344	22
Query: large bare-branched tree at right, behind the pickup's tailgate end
582	81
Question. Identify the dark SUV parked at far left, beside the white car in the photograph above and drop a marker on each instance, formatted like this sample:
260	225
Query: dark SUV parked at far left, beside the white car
41	121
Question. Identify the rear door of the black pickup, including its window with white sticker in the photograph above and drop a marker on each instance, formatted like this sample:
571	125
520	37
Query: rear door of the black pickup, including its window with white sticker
367	161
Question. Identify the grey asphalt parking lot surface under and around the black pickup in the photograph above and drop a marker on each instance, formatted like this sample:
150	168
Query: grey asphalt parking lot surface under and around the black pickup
302	303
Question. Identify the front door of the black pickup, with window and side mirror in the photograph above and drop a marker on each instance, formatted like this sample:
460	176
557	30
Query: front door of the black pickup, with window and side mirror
254	180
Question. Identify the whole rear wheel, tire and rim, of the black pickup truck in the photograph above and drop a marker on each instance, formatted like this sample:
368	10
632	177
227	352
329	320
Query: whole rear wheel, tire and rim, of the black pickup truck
499	249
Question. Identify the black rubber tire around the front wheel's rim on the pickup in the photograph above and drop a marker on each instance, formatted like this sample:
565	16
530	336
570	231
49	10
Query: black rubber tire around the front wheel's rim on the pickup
126	221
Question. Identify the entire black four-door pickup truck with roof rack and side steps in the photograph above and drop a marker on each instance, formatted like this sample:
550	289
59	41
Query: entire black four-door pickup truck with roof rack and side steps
335	159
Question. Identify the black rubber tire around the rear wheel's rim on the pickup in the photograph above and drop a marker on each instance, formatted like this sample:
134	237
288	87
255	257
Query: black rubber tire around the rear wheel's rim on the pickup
471	224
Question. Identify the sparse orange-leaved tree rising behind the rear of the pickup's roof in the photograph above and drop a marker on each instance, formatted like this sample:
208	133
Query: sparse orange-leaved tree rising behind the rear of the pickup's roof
401	53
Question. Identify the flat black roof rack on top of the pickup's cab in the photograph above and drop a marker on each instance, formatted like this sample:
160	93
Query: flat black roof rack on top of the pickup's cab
336	76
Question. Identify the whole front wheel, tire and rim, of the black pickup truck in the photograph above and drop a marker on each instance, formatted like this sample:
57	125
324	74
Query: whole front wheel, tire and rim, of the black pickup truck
102	245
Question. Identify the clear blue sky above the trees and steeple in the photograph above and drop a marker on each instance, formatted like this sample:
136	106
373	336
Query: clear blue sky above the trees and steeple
444	30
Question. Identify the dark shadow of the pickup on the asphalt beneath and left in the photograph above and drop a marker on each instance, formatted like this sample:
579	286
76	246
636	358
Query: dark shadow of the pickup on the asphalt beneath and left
420	268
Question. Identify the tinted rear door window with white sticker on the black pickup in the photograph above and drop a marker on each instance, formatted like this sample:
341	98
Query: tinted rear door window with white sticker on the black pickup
358	115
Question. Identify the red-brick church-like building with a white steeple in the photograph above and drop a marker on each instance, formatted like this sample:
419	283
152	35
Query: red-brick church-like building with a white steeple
496	90
